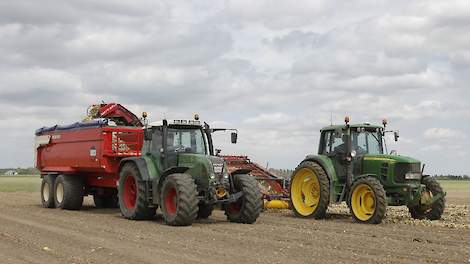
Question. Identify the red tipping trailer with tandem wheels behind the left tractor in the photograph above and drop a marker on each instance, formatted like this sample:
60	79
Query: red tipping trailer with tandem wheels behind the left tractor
83	158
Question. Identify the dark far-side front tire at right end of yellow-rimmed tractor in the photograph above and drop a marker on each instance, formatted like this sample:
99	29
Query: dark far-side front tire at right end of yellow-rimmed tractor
435	211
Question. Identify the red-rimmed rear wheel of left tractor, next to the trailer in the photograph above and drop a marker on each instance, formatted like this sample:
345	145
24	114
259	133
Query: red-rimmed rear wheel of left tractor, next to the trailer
132	194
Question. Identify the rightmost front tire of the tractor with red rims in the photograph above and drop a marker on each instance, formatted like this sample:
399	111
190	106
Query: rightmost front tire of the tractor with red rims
248	208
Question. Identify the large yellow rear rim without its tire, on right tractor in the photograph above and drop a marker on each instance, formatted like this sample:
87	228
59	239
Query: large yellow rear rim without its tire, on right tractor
305	191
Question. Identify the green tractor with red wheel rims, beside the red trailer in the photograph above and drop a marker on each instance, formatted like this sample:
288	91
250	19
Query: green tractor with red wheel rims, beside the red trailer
179	172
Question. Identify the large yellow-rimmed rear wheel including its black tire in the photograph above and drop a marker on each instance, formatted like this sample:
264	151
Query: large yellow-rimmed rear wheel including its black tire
309	190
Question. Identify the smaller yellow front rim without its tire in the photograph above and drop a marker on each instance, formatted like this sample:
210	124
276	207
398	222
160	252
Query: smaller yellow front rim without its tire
363	202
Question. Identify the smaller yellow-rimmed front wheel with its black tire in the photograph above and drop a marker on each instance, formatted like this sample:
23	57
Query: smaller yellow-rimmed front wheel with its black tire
368	201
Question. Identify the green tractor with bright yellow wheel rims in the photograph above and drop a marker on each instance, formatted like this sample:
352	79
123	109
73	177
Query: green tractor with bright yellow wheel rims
352	166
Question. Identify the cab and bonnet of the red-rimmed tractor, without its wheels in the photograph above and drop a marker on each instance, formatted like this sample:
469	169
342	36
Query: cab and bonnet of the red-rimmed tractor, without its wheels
187	145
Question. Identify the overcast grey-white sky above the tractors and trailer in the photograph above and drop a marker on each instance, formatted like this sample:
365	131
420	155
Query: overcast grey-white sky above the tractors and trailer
276	70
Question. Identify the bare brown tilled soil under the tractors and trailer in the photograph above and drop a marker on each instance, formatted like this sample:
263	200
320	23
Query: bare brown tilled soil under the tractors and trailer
31	234
